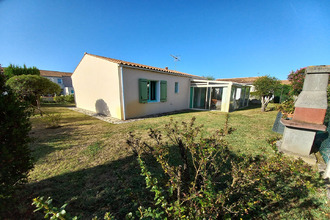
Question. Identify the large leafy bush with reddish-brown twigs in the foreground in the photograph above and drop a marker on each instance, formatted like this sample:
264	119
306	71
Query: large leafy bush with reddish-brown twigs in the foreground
202	179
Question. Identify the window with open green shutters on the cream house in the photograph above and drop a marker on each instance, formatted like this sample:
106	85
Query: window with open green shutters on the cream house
152	91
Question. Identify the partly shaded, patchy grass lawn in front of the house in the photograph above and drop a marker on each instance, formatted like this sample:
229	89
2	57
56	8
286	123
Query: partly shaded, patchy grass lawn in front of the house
87	164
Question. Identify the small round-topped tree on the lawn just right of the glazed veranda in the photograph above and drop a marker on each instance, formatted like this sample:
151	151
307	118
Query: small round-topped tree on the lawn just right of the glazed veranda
265	88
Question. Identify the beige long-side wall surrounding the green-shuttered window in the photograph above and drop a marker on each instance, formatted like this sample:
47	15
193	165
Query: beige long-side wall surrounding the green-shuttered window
175	101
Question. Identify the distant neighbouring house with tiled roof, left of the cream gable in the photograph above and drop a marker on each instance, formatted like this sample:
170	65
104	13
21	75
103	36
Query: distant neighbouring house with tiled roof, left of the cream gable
63	79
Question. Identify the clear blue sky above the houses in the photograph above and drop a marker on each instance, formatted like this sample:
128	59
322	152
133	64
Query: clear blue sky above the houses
223	39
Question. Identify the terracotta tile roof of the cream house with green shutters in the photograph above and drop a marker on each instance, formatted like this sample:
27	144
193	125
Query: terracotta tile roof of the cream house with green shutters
165	70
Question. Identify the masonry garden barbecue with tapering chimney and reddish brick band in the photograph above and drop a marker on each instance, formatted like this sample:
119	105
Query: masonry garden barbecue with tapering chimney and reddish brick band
310	110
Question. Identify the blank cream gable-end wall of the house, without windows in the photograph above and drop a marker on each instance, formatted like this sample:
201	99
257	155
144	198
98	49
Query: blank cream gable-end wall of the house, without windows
97	87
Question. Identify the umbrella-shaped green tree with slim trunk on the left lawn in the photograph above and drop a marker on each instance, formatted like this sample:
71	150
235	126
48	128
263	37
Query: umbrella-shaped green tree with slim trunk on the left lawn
33	86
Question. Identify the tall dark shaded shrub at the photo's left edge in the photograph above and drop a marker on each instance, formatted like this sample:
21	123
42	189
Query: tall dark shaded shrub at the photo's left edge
15	156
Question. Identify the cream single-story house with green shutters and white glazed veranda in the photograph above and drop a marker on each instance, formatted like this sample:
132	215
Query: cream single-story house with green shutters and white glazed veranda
127	90
